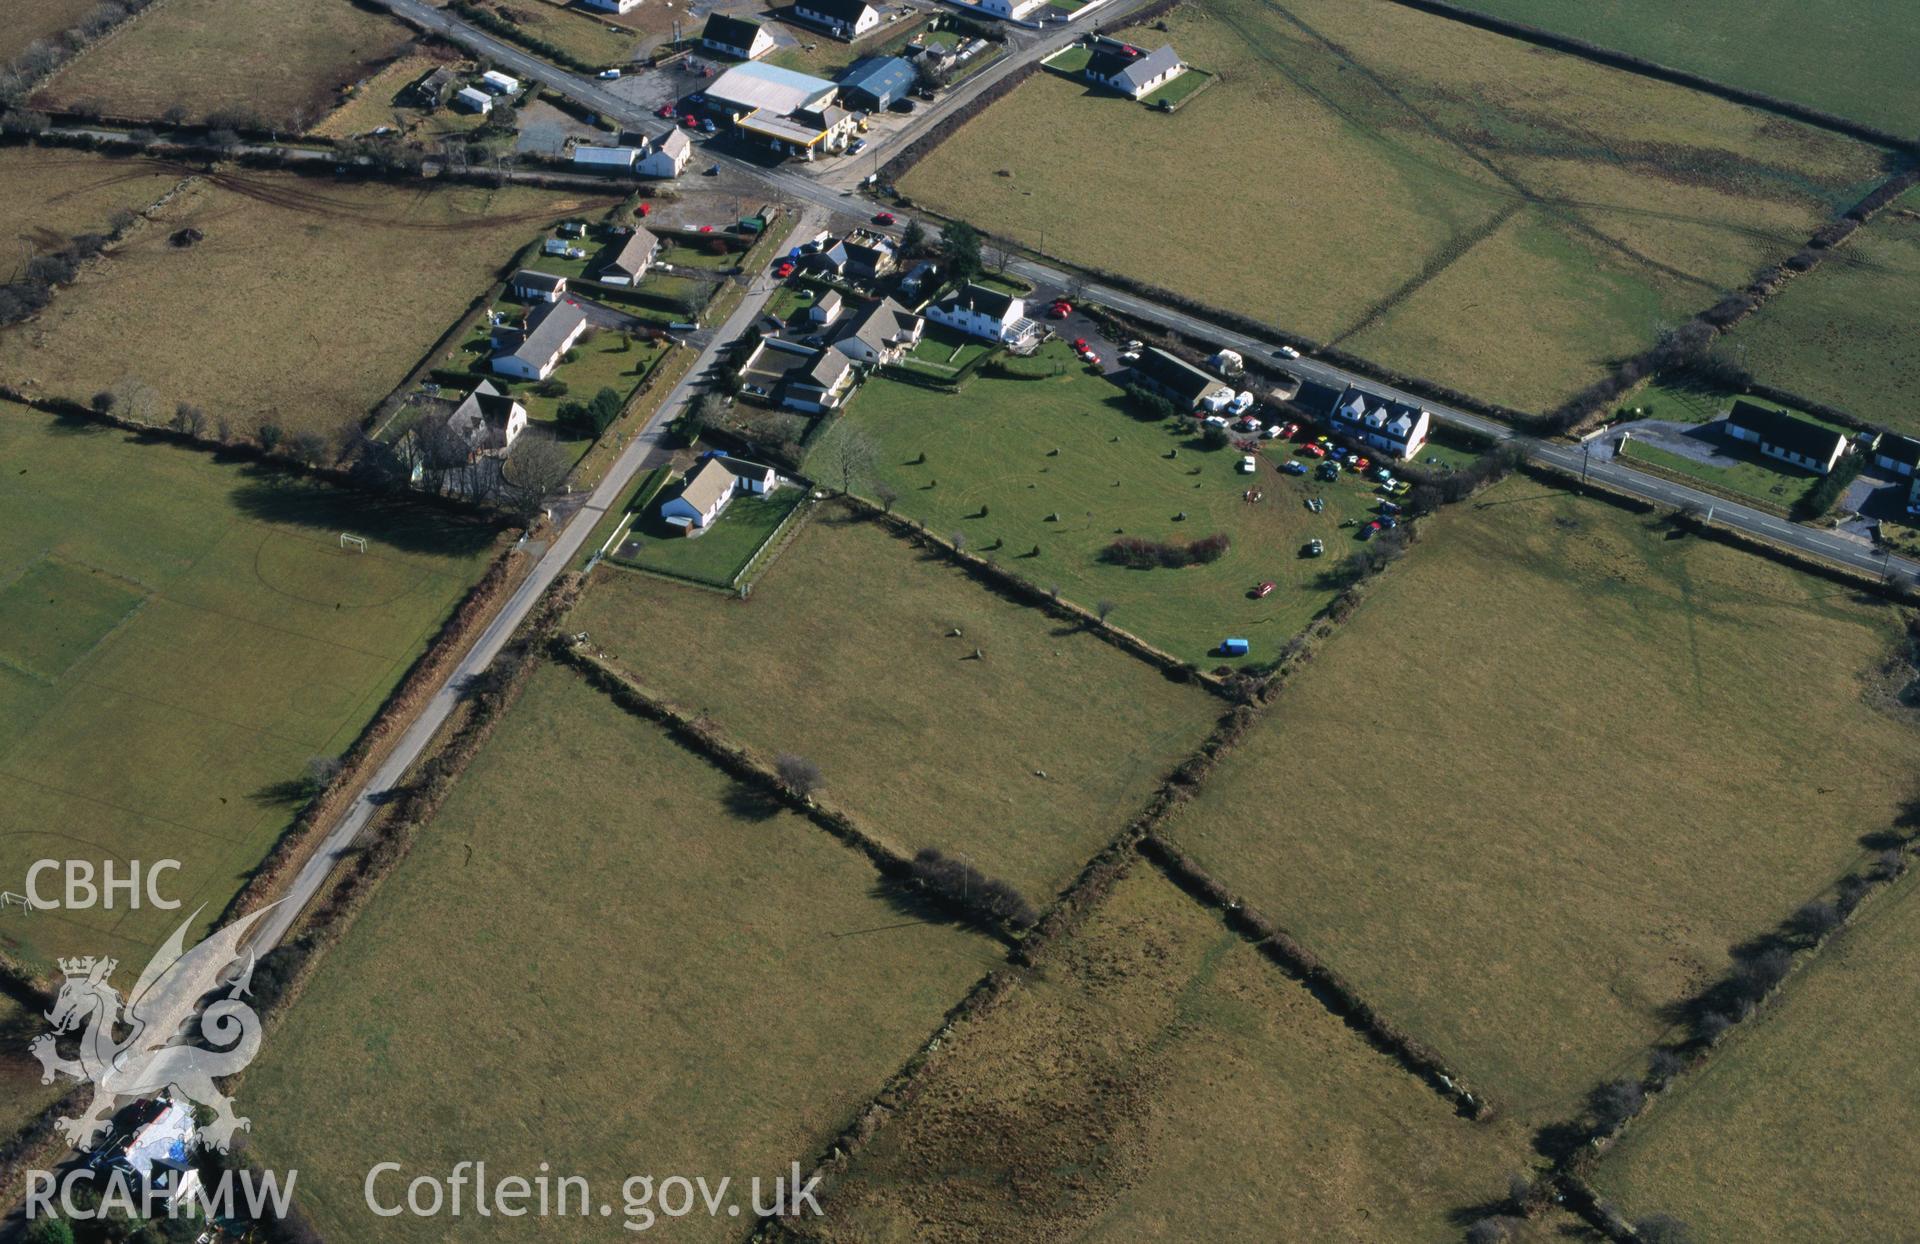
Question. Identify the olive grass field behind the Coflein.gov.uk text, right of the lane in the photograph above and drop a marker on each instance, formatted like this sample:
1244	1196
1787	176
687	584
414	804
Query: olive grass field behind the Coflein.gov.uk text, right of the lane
608	959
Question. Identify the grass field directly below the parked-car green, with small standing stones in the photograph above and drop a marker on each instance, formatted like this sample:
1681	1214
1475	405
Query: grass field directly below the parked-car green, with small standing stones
1026	759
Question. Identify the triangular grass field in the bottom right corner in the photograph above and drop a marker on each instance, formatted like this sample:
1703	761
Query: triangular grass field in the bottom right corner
1802	1126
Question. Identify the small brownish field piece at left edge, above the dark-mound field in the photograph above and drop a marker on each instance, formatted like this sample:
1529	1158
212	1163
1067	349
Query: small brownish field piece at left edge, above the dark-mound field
49	195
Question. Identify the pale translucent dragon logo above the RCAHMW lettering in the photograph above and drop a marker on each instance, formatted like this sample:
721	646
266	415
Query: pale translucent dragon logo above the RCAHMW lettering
149	1045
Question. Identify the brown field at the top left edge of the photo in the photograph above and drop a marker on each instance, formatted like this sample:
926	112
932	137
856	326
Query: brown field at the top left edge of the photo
281	62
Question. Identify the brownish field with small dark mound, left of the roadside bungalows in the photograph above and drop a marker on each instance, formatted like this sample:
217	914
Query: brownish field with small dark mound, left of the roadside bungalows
304	304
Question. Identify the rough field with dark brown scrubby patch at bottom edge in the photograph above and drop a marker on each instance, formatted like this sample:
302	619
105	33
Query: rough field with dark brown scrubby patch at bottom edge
1157	1076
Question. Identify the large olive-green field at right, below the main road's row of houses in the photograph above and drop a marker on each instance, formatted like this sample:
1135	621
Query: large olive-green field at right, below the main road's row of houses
1550	773
